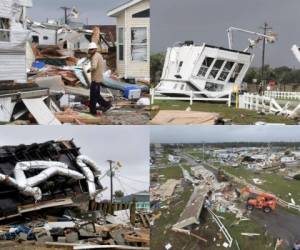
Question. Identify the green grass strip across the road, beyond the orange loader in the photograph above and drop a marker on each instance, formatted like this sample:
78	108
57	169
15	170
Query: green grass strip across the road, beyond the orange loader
273	183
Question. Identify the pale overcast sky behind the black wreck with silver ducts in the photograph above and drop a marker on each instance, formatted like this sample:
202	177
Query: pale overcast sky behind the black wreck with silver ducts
127	144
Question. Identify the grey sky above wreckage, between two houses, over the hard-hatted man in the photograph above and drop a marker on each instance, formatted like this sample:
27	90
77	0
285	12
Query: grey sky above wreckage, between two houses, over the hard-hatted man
93	10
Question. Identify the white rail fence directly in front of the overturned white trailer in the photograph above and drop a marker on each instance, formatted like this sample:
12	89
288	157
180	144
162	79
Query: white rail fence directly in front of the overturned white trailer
185	96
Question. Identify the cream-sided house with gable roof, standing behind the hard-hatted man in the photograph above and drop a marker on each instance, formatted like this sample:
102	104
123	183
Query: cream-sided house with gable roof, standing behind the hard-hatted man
133	39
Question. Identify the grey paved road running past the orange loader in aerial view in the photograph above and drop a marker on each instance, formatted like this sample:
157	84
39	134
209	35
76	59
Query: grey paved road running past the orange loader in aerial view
280	223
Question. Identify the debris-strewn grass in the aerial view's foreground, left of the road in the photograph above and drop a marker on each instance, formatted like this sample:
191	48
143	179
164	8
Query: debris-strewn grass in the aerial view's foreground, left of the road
163	234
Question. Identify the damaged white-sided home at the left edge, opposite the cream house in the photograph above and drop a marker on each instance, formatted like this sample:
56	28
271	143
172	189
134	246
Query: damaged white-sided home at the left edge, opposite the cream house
13	37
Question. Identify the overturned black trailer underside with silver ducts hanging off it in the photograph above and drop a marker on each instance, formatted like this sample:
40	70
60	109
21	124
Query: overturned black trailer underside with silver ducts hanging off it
44	175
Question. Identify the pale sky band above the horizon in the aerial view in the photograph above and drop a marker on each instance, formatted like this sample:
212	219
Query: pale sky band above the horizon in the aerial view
199	134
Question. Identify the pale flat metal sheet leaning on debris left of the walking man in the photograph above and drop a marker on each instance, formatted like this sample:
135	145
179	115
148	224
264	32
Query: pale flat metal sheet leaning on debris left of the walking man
40	111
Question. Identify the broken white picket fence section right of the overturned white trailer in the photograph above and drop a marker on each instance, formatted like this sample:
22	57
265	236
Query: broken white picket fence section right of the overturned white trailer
259	103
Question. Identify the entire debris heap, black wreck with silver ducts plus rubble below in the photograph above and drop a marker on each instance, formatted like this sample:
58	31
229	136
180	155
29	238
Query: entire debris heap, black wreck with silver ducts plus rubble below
51	195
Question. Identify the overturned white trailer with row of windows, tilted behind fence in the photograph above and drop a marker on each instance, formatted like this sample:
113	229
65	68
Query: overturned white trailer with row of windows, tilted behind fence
202	71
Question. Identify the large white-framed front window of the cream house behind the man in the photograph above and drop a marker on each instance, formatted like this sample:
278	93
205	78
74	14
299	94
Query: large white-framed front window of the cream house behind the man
139	44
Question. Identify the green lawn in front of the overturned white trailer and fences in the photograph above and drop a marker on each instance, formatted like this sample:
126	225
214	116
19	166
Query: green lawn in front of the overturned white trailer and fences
238	116
